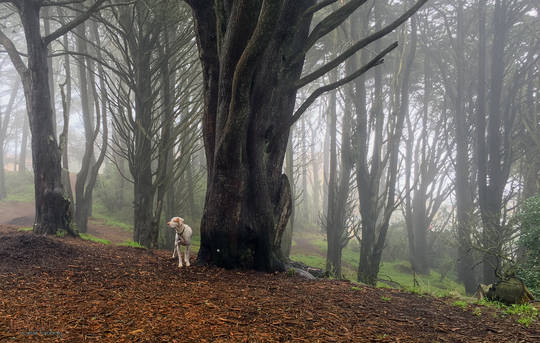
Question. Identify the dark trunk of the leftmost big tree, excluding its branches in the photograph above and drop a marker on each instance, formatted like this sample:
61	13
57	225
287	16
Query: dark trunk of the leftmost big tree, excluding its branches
52	209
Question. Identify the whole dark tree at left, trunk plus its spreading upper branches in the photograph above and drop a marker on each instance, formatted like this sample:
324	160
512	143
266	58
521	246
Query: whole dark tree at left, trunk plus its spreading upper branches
52	209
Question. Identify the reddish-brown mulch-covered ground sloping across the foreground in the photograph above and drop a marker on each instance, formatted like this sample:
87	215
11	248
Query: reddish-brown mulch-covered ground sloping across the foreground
69	290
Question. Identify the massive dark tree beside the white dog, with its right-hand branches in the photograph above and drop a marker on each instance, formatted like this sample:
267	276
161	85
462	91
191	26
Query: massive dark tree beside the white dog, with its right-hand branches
252	55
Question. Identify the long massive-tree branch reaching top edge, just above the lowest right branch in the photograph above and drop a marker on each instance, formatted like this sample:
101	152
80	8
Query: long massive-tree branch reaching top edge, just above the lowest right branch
359	45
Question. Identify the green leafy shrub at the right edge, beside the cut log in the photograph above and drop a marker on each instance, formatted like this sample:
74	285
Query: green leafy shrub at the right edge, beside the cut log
528	268
